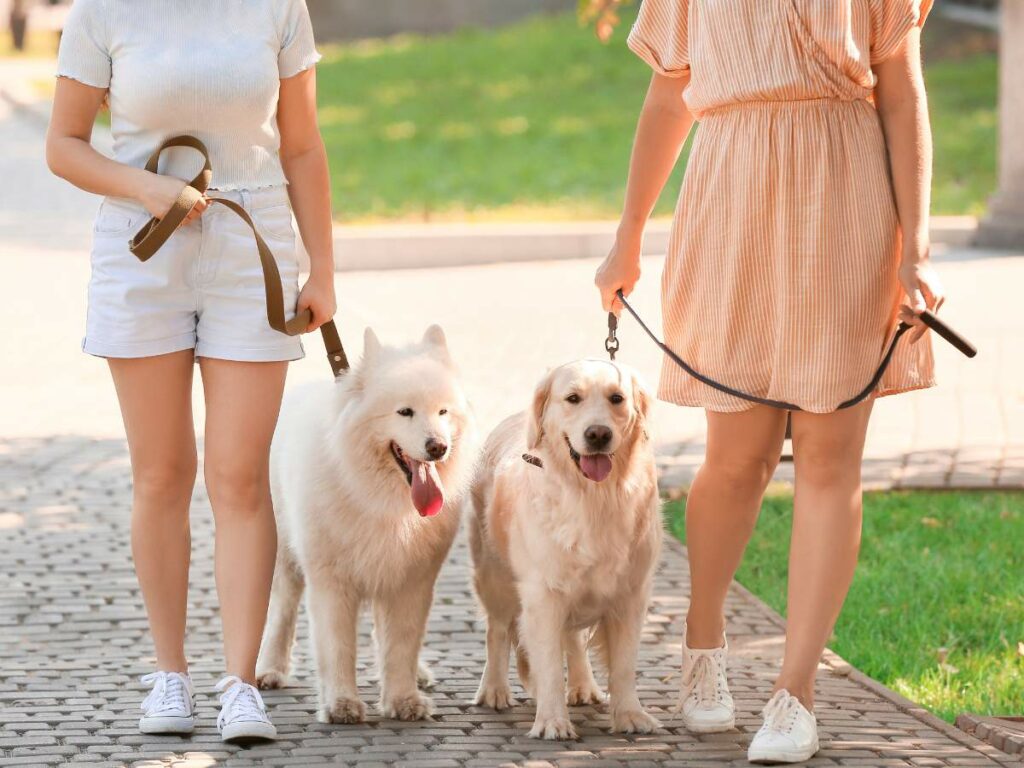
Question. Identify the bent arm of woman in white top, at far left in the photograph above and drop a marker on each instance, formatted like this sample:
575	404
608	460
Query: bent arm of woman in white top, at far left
71	156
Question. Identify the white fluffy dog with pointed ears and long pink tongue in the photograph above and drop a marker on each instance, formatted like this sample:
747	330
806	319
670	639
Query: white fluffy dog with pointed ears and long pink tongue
367	477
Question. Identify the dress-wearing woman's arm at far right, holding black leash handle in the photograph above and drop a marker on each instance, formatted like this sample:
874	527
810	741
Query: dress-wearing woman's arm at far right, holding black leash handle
904	111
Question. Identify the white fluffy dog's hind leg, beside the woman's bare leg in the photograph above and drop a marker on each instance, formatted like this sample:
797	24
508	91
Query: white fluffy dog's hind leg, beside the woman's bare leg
276	653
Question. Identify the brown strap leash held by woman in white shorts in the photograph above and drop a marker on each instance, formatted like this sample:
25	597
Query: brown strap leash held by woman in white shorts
156	232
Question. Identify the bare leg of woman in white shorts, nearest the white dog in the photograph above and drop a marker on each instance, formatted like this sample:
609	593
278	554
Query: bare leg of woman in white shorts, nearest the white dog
243	401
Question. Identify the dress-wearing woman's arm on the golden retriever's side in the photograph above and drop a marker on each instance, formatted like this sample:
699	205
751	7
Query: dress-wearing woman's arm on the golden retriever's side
665	123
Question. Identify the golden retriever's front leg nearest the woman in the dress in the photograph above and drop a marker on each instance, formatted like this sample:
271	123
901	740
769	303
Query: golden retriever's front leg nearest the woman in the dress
622	633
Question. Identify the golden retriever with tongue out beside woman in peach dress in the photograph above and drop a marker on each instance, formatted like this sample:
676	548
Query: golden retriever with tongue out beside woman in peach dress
565	533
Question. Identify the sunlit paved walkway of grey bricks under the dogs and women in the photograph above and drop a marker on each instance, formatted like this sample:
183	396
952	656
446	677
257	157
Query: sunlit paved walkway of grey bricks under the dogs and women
71	617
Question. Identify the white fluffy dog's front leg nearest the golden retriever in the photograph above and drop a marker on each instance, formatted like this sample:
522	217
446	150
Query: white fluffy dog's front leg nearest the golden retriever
401	621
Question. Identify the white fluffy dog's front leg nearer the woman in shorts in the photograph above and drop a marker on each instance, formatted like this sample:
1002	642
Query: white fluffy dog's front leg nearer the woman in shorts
334	615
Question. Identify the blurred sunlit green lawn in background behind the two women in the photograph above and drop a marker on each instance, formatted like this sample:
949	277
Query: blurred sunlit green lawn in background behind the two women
536	121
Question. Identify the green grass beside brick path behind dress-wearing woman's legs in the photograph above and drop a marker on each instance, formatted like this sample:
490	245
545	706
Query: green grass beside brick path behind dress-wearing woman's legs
937	608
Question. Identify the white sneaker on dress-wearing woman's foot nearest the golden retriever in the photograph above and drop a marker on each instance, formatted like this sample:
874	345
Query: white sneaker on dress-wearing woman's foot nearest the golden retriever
705	700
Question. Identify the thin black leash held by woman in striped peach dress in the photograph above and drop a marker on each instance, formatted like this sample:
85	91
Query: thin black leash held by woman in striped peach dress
928	318
